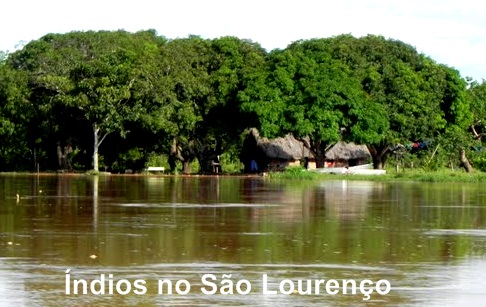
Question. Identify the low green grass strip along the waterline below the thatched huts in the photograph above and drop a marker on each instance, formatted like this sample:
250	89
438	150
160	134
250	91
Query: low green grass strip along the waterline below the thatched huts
443	175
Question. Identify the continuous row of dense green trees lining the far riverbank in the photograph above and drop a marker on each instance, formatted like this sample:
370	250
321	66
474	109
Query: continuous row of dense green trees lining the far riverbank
68	99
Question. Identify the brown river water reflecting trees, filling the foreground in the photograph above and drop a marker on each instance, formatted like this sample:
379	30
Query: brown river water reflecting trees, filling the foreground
428	240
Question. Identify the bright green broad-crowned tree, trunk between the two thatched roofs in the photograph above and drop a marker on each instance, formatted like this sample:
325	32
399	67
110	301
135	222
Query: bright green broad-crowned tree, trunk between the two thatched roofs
304	91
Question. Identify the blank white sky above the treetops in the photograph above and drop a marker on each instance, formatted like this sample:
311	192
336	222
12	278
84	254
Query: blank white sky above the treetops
450	31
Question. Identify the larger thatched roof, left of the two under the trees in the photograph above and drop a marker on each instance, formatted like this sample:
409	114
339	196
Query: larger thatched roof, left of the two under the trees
284	148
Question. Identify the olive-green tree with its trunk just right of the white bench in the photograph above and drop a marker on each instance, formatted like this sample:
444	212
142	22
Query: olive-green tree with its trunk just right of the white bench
178	96
